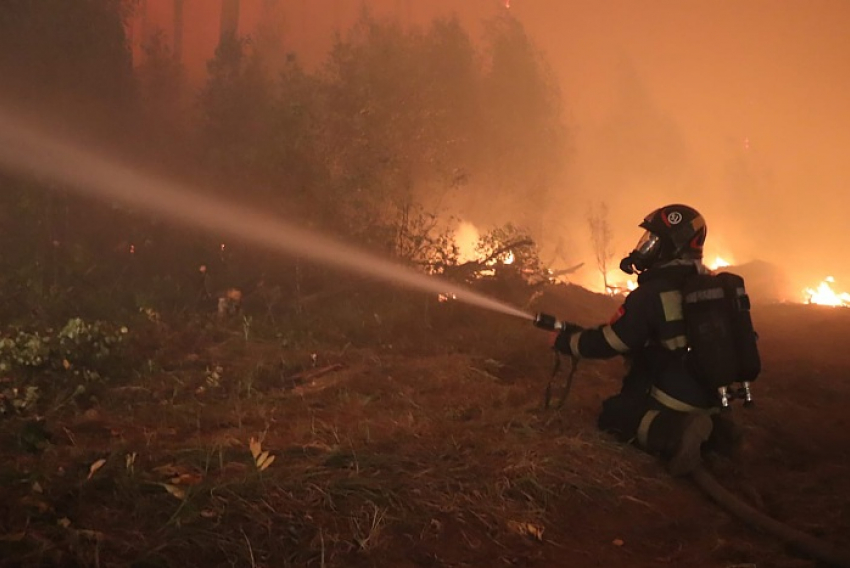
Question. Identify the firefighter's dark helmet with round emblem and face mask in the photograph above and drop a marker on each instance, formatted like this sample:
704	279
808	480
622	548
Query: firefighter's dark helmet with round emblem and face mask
672	232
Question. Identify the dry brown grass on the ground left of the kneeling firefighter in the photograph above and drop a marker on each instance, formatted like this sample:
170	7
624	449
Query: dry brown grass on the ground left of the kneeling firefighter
436	456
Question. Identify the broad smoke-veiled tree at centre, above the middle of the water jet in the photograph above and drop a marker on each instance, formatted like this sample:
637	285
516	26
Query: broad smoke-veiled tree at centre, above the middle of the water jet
397	104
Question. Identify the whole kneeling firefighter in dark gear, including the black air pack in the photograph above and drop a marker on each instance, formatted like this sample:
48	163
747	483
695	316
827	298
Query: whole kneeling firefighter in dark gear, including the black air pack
688	338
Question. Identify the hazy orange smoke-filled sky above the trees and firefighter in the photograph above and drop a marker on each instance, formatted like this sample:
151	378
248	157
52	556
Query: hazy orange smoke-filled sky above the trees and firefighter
738	108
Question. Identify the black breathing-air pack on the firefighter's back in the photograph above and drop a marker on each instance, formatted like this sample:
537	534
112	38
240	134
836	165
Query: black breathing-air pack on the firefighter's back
722	343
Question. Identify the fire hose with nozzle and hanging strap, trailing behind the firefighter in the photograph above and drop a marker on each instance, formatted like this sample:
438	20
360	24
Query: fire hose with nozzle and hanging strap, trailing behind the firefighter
796	539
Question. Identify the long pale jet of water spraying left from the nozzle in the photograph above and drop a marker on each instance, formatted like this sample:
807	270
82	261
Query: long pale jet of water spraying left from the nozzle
35	152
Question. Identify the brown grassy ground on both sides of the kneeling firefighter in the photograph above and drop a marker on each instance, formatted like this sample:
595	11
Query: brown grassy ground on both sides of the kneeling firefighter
424	446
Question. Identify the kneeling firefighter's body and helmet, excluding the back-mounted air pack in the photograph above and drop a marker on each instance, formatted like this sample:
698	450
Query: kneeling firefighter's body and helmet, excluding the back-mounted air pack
661	406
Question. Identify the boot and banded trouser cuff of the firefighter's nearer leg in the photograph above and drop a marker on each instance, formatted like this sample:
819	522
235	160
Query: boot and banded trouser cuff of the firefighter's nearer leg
678	437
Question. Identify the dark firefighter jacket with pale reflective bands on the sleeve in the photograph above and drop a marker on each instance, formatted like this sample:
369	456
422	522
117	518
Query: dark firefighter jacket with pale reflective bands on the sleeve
649	330
